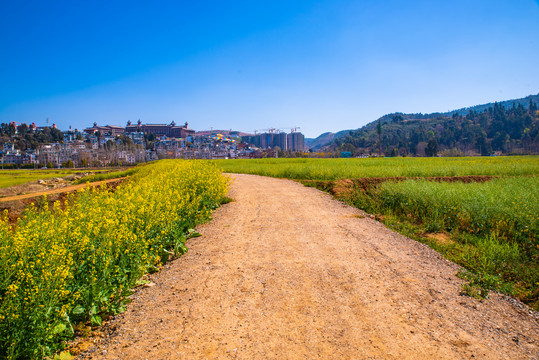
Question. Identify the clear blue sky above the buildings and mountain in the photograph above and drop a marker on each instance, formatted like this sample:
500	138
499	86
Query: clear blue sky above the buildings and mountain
246	65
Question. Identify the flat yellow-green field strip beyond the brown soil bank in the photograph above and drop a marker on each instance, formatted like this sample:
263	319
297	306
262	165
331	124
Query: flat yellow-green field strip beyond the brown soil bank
332	169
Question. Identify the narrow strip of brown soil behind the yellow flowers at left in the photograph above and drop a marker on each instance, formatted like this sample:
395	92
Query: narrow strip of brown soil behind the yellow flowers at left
17	203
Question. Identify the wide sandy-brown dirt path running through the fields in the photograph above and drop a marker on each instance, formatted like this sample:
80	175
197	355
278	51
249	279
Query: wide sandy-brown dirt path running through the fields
286	272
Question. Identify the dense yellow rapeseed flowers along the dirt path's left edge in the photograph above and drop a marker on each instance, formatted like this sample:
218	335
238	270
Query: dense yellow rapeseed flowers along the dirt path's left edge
72	264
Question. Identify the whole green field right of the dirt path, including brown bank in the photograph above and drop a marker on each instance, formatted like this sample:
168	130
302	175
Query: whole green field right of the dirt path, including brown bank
480	212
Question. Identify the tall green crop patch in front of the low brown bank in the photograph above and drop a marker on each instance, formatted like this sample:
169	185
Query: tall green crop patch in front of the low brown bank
507	206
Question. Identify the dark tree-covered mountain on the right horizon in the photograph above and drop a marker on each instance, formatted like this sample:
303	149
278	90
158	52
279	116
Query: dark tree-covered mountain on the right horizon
507	127
